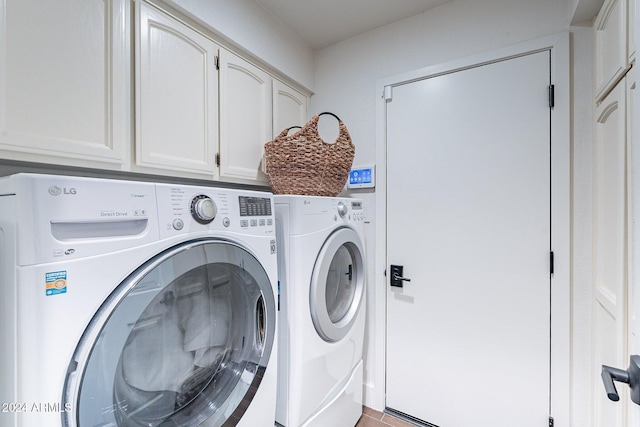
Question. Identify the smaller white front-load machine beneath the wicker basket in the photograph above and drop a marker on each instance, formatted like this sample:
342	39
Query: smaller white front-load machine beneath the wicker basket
321	272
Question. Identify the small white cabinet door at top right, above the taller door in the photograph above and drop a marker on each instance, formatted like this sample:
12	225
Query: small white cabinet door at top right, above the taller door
610	42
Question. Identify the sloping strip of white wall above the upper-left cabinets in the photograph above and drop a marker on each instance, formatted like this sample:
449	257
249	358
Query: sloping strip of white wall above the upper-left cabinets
258	32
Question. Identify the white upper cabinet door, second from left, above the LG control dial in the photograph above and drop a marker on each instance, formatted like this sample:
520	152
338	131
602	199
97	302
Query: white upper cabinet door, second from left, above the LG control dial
177	95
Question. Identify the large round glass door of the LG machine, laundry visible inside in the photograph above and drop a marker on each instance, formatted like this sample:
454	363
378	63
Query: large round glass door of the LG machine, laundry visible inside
183	341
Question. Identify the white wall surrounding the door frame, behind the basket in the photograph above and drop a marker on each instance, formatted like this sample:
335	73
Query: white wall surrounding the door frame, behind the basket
346	75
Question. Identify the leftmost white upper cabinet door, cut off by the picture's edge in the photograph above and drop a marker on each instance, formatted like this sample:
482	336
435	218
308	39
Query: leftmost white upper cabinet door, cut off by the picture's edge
64	81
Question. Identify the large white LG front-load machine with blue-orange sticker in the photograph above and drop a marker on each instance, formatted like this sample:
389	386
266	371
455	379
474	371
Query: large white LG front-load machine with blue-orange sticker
136	304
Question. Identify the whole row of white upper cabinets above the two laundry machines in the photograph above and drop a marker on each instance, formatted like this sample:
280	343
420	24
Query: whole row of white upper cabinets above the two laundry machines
85	83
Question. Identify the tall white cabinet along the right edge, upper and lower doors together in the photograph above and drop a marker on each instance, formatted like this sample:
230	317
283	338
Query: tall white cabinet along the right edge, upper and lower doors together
613	325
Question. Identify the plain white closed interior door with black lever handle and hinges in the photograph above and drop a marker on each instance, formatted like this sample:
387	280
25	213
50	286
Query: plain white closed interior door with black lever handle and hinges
468	338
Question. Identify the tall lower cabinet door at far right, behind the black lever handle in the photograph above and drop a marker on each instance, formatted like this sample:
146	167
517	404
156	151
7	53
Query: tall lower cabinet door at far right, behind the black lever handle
610	285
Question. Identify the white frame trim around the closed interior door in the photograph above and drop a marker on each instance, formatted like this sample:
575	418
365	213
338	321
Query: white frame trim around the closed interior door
558	45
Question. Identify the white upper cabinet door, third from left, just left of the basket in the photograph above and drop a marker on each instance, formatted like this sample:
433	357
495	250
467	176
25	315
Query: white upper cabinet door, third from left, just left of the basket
246	119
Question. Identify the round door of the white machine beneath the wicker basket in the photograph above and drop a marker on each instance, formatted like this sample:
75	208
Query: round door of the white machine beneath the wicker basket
337	285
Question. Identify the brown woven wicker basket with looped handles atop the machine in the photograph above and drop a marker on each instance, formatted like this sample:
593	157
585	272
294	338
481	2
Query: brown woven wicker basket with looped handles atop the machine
302	163
